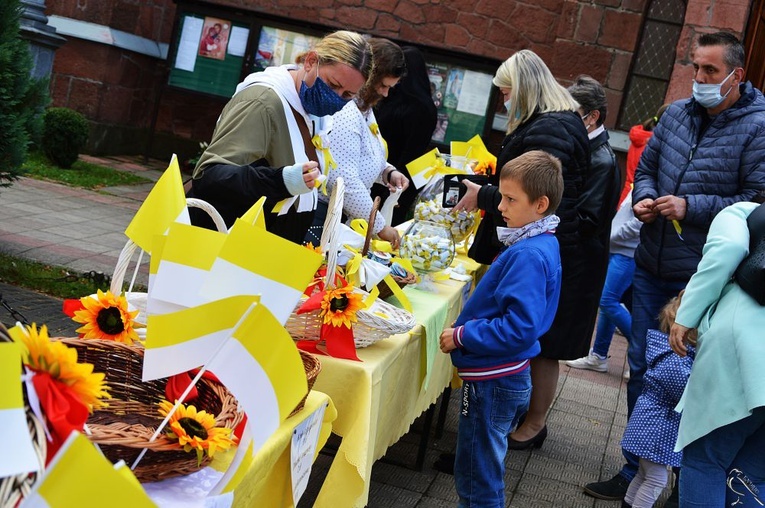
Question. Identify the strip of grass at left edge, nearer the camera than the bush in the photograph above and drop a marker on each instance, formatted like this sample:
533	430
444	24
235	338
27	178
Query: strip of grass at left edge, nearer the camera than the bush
51	280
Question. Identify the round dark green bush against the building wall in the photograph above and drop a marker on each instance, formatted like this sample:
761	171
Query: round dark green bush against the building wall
65	134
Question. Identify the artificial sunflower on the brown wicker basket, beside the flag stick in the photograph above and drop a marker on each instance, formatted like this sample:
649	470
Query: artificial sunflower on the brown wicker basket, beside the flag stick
196	430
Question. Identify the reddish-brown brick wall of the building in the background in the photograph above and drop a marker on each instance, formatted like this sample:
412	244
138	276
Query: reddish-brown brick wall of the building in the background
597	37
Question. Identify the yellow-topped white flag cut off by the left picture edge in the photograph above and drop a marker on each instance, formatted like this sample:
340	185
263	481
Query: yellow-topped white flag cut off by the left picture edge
19	456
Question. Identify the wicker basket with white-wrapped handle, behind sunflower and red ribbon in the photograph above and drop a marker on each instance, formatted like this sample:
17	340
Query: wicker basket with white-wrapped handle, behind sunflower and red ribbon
377	322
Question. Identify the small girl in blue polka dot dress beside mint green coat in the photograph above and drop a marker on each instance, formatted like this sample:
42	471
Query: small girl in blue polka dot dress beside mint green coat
652	428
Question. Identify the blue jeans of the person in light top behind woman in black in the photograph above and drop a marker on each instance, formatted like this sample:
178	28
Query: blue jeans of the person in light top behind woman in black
618	278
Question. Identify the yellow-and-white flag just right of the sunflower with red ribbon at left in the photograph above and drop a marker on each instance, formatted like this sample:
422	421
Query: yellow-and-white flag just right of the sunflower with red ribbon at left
180	341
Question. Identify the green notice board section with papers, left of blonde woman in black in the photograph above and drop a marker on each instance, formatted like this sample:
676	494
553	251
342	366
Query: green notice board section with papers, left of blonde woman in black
461	97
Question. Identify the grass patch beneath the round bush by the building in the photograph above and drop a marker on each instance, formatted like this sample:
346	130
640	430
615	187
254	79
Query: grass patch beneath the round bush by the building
81	174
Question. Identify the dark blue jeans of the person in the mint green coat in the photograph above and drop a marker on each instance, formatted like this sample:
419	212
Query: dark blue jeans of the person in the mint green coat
708	461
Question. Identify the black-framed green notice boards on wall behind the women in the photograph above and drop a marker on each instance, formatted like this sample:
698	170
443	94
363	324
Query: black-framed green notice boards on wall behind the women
214	48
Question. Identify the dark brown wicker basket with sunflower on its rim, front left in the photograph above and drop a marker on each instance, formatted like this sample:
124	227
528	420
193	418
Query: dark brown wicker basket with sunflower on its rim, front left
123	429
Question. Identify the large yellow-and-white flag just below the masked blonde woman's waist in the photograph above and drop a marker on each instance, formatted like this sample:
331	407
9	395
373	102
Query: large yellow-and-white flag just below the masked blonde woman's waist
254	261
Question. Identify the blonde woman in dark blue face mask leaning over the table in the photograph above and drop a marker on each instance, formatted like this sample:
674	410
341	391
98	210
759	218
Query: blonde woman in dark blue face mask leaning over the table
263	143
